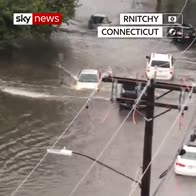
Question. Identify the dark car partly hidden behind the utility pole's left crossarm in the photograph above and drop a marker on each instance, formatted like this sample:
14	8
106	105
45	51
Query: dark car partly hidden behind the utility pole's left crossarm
127	92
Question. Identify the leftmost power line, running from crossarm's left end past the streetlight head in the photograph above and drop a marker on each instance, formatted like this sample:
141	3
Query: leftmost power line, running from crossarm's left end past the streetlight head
70	124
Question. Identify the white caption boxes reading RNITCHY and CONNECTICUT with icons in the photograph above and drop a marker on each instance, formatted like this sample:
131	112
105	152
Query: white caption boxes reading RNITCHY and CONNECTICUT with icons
143	25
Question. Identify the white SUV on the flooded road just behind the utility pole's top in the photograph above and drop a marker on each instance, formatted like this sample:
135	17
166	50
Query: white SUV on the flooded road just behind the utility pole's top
160	66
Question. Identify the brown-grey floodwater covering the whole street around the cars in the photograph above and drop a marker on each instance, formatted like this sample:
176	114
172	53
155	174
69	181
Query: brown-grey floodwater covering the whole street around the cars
36	107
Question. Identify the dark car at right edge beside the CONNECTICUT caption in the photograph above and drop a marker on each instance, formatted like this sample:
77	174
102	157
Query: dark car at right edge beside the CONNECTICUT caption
182	33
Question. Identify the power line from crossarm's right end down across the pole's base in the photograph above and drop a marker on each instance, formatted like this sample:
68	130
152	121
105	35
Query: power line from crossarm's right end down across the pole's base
164	139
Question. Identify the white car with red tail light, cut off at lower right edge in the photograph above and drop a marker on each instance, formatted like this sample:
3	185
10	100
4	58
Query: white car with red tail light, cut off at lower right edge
185	163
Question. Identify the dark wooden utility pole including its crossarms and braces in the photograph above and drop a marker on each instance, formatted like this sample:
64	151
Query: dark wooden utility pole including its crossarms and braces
150	103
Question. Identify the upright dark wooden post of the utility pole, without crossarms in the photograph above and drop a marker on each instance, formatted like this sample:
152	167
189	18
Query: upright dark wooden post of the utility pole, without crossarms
148	136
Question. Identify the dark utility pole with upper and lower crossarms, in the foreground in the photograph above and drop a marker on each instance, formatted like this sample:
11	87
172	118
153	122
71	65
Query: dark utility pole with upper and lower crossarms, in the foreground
150	104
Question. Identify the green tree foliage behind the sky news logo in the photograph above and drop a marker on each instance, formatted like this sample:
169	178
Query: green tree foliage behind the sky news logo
9	32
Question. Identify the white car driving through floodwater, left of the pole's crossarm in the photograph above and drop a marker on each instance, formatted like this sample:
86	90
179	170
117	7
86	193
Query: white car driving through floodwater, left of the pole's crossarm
88	79
